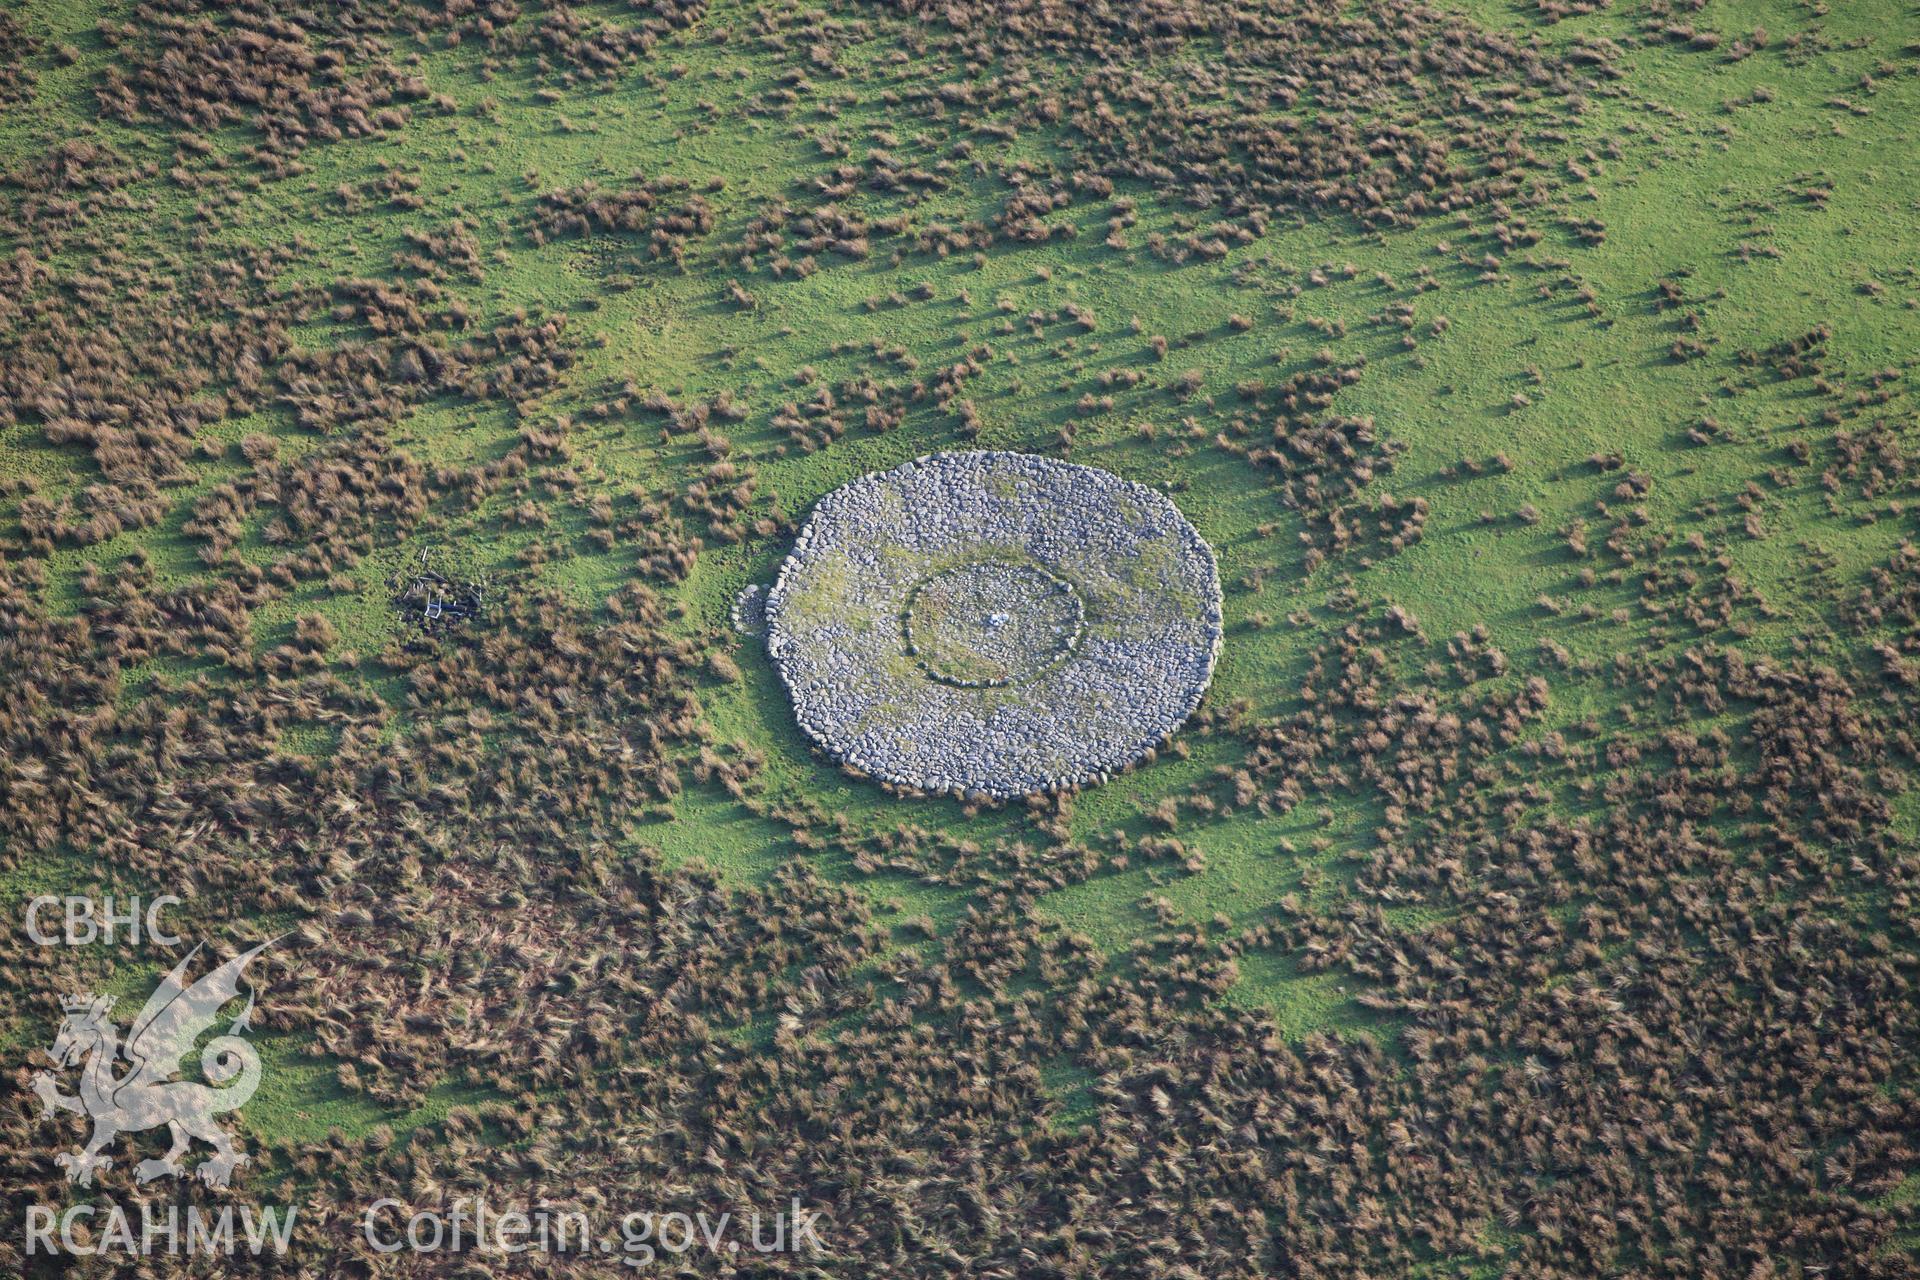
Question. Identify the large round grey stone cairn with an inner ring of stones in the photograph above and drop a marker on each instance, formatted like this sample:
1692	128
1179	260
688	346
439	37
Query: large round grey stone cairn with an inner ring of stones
994	625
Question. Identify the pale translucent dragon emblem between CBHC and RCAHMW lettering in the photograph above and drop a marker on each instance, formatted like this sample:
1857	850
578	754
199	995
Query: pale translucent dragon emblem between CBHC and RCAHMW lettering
147	1097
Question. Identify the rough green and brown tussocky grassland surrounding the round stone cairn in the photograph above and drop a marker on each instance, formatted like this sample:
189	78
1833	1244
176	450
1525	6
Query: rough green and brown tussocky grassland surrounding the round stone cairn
1554	788
